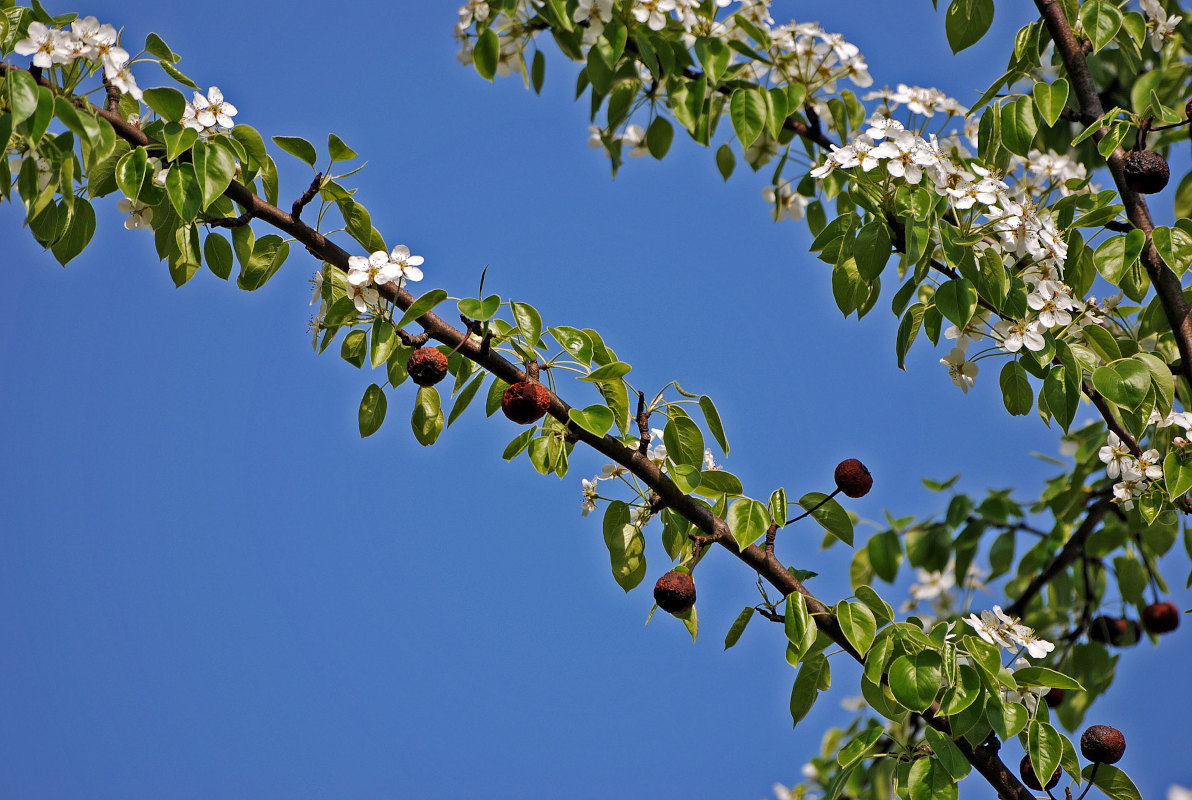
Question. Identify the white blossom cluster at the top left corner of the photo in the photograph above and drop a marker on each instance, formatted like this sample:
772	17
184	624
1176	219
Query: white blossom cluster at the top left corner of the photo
88	40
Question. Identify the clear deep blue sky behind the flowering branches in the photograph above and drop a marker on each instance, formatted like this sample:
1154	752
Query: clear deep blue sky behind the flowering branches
210	586
